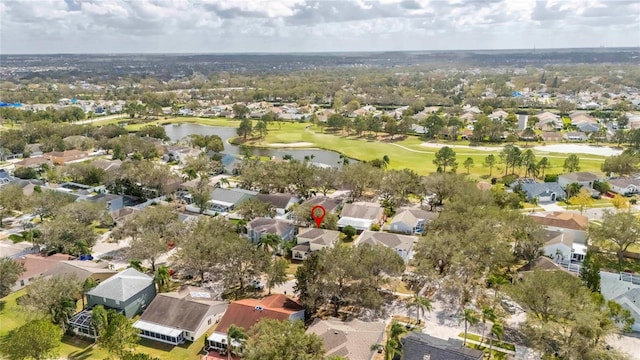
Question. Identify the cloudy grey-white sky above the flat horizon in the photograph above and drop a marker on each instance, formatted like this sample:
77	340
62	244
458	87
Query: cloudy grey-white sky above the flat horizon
238	26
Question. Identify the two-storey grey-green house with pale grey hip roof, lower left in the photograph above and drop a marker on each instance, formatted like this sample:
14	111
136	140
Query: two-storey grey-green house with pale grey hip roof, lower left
129	291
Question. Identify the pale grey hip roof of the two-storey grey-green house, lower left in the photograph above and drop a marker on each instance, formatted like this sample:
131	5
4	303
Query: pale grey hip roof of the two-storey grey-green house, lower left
123	285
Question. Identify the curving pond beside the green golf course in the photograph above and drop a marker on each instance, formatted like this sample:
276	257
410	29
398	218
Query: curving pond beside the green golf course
178	131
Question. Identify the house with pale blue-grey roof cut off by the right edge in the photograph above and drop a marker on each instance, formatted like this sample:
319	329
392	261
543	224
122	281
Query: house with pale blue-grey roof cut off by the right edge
623	289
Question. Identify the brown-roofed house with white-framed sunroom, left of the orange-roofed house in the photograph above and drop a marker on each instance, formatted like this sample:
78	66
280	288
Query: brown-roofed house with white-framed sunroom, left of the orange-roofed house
174	317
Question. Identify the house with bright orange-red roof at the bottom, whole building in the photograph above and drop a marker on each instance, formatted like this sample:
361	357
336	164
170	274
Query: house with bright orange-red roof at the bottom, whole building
247	312
